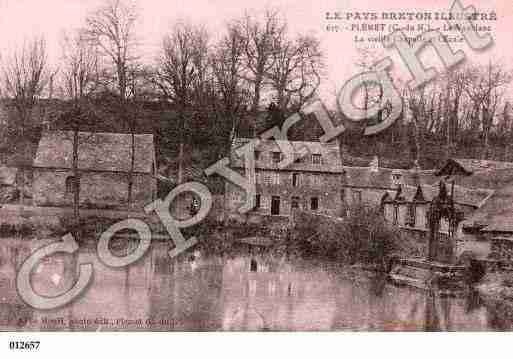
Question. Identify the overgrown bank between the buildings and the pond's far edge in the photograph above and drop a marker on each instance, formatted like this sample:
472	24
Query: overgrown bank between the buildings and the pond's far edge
361	238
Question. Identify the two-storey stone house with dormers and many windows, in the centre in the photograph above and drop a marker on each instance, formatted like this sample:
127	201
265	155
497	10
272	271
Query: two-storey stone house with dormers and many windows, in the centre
311	183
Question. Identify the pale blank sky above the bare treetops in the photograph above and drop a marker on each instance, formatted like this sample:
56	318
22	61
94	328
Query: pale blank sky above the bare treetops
20	19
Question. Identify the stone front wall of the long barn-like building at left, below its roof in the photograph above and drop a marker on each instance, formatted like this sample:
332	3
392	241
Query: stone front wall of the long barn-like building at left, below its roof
97	190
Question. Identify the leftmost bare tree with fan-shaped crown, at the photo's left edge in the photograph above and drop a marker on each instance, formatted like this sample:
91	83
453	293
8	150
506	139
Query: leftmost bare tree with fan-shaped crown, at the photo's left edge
25	75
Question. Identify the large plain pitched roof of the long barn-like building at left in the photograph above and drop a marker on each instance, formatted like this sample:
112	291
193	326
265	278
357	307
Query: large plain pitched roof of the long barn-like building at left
96	151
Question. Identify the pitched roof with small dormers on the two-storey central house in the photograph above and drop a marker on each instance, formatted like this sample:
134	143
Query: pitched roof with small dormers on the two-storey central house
330	153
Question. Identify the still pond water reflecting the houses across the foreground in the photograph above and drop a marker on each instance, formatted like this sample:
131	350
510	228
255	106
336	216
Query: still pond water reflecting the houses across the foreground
246	292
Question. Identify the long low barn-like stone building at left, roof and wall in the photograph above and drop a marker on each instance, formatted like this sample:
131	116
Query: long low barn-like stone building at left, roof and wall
105	161
